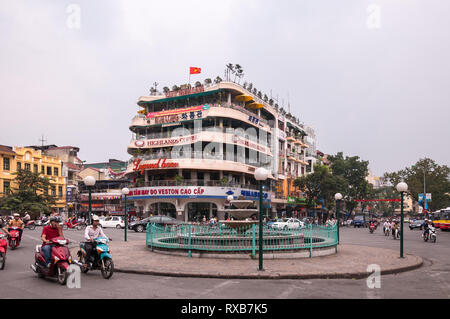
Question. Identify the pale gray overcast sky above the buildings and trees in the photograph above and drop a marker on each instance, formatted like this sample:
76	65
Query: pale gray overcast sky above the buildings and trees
372	85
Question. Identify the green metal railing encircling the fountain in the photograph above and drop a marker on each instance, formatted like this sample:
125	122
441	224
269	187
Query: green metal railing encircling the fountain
220	238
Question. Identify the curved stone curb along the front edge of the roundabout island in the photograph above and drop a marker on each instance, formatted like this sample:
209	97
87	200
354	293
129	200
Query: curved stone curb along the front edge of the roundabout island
356	275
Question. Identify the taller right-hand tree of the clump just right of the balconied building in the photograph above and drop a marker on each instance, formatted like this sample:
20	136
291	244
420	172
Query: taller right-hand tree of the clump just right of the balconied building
354	171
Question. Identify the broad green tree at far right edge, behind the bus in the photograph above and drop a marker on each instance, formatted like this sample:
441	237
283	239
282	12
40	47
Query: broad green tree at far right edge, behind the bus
436	181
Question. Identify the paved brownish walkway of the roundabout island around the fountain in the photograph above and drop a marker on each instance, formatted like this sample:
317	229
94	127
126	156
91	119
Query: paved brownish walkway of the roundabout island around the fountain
351	261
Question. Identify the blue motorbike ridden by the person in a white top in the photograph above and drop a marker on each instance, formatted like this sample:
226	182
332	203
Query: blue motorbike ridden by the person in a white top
100	258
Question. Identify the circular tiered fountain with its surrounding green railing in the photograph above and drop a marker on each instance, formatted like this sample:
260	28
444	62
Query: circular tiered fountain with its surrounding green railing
240	237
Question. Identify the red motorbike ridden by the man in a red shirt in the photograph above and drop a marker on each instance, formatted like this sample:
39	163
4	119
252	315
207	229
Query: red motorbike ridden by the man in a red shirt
60	261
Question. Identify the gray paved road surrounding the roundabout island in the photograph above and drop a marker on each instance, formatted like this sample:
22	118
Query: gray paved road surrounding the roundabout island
430	281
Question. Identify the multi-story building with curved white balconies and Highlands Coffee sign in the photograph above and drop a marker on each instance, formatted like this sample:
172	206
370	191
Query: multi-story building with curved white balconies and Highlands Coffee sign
194	147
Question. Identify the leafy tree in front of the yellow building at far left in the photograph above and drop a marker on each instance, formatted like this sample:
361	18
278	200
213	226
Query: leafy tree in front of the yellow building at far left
30	195
